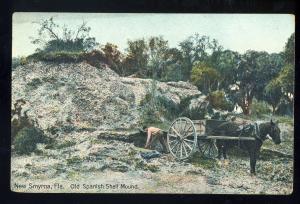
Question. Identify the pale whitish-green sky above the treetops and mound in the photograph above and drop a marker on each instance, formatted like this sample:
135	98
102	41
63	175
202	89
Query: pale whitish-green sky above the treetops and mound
237	32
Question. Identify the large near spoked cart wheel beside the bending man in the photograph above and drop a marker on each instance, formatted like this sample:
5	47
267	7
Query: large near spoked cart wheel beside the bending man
182	138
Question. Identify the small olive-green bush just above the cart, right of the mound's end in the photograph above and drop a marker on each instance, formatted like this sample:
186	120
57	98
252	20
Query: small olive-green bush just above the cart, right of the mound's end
218	101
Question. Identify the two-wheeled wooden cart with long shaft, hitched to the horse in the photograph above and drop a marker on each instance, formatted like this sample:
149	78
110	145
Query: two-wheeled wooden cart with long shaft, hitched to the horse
185	135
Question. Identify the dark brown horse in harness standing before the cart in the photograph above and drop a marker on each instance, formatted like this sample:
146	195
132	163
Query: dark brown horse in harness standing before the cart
258	131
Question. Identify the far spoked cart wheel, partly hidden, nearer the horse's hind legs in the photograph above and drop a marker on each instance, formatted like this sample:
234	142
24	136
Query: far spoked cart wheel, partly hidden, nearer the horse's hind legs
208	148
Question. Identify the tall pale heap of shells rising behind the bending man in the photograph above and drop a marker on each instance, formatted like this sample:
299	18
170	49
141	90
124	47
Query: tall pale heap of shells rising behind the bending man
69	97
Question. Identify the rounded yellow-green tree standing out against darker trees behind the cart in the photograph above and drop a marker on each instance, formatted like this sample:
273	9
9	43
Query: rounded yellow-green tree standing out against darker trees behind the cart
205	77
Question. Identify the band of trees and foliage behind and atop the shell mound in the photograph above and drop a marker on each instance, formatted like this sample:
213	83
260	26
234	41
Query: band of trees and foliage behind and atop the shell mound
199	59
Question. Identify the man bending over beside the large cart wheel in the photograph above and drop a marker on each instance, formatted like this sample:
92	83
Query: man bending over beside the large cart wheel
152	133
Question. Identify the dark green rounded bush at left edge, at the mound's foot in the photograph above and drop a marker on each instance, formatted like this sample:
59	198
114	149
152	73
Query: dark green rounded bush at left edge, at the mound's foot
26	140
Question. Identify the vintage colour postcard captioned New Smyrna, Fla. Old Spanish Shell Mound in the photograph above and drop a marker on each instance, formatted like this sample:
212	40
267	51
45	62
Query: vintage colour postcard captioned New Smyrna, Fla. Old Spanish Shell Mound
152	103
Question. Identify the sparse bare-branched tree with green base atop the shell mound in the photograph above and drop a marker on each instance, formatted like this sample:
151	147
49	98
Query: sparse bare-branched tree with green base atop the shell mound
53	37
